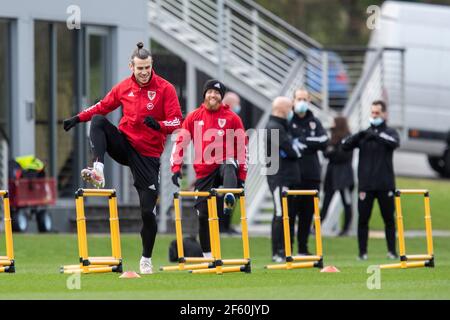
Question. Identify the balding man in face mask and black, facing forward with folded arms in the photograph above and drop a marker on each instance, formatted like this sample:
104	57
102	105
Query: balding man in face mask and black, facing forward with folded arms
310	136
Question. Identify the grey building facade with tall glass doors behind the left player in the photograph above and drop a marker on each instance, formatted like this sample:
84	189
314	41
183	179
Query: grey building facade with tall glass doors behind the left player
58	57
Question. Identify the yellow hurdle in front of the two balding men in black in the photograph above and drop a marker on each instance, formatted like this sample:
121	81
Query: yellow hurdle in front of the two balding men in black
300	262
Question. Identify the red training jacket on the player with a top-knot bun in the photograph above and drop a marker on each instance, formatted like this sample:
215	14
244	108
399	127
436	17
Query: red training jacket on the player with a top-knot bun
157	99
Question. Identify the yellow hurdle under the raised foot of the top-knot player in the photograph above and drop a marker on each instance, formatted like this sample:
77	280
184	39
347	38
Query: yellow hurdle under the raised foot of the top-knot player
96	264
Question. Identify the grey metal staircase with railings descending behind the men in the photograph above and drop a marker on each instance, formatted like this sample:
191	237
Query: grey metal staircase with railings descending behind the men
260	56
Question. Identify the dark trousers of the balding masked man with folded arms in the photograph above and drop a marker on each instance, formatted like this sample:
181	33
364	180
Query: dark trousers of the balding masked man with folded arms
303	208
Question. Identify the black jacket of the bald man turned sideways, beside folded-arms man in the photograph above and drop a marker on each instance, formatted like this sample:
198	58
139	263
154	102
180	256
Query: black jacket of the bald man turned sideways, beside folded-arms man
288	173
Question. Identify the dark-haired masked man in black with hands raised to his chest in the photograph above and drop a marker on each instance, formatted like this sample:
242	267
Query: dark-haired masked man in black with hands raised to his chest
376	176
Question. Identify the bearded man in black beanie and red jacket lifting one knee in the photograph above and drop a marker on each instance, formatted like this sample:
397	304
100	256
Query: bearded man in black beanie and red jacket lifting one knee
220	148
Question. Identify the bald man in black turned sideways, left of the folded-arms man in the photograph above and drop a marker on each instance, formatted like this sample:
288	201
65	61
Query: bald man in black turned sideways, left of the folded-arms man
288	173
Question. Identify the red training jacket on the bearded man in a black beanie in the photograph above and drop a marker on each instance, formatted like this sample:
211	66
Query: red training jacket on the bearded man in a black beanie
209	131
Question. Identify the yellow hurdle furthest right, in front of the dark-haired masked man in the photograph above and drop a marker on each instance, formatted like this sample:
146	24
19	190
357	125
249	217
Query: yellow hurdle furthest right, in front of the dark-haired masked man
417	260
